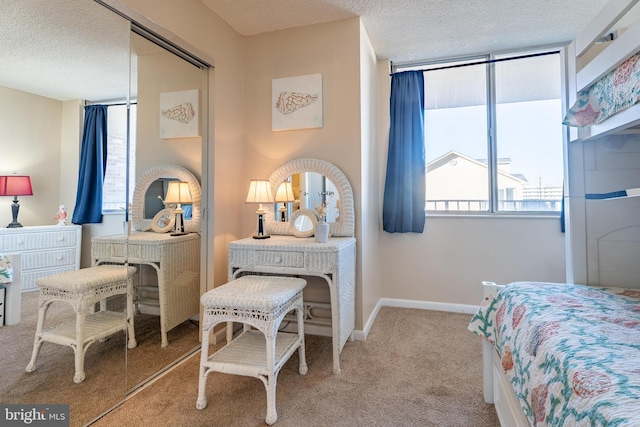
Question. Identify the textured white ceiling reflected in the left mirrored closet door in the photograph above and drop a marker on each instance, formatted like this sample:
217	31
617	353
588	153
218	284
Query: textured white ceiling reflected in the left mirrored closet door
70	49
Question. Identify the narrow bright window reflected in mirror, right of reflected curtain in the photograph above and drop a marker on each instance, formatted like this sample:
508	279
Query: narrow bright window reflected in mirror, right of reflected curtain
114	188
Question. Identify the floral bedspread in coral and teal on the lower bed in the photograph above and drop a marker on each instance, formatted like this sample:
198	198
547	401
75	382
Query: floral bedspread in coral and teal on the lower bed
571	352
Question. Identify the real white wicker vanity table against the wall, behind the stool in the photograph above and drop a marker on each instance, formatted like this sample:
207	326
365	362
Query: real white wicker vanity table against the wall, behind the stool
333	261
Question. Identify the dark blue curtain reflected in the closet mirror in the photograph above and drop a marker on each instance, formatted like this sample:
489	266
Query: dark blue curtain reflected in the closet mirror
93	163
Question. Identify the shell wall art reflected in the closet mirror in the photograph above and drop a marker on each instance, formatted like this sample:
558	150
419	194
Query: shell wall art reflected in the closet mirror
179	115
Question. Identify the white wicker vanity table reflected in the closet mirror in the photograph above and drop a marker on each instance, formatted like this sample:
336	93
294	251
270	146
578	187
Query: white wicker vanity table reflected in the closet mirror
176	260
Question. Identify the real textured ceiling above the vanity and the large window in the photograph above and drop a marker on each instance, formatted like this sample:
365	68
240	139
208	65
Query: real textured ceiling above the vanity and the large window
415	30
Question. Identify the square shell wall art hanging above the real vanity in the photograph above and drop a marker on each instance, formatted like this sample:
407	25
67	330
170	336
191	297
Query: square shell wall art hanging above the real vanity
296	102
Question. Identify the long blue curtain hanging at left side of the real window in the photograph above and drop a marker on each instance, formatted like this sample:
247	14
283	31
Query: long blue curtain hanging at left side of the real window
404	189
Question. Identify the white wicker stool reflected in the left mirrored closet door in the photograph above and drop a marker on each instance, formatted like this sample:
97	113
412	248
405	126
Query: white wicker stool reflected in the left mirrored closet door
82	289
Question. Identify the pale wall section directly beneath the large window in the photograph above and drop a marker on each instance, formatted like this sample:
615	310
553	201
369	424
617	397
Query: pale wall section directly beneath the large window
454	254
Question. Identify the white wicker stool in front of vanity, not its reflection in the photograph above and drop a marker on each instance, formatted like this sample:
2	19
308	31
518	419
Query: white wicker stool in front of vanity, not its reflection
261	302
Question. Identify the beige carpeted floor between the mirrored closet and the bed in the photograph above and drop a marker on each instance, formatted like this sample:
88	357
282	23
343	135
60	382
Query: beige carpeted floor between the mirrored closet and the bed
416	368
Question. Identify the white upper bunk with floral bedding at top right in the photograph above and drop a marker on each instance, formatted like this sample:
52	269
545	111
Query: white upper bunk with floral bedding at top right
603	66
